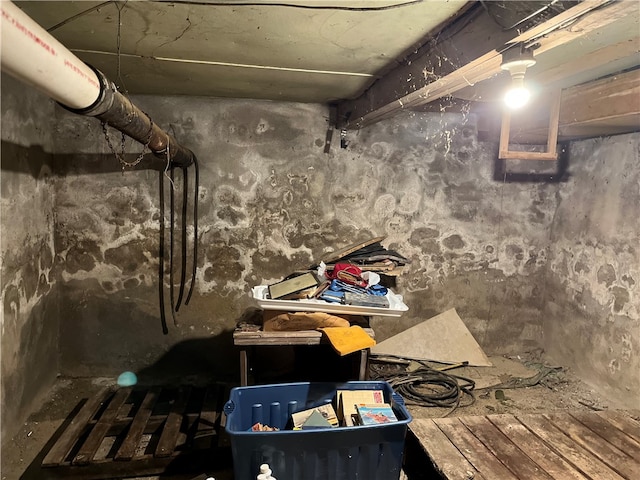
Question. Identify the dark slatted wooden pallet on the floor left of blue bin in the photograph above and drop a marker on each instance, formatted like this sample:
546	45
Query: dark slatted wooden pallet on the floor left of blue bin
137	431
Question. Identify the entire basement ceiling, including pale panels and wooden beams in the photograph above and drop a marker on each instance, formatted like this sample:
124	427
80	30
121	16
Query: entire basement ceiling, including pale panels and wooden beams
368	58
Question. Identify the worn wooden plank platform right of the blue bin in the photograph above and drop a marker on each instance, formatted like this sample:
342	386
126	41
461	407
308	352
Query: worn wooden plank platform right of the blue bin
554	446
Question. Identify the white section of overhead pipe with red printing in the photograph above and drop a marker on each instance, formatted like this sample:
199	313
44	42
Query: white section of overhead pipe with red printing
32	55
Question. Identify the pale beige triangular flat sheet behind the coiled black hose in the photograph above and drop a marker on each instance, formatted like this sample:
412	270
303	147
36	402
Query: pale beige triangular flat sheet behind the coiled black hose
443	338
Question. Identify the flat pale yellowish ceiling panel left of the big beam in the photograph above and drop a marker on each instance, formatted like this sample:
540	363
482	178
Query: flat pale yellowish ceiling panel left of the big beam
261	49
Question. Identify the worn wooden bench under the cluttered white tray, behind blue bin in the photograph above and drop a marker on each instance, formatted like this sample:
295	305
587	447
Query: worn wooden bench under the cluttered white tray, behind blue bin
244	339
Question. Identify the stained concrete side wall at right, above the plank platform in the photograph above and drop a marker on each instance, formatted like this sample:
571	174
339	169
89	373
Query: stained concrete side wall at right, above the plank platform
592	313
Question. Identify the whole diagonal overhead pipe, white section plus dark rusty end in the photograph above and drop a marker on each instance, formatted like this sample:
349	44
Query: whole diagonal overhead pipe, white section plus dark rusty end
33	56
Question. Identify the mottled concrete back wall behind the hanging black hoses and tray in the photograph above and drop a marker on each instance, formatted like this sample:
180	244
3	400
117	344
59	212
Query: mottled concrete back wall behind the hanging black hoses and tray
272	202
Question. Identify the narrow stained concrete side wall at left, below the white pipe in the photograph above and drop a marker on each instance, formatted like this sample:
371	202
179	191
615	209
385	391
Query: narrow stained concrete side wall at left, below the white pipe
29	315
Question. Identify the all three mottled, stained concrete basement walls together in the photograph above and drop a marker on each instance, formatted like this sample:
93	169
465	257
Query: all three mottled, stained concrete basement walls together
271	202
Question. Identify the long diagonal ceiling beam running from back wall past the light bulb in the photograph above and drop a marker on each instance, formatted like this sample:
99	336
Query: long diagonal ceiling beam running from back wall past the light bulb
468	56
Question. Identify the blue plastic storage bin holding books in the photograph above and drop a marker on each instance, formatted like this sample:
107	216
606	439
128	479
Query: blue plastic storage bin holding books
372	452
